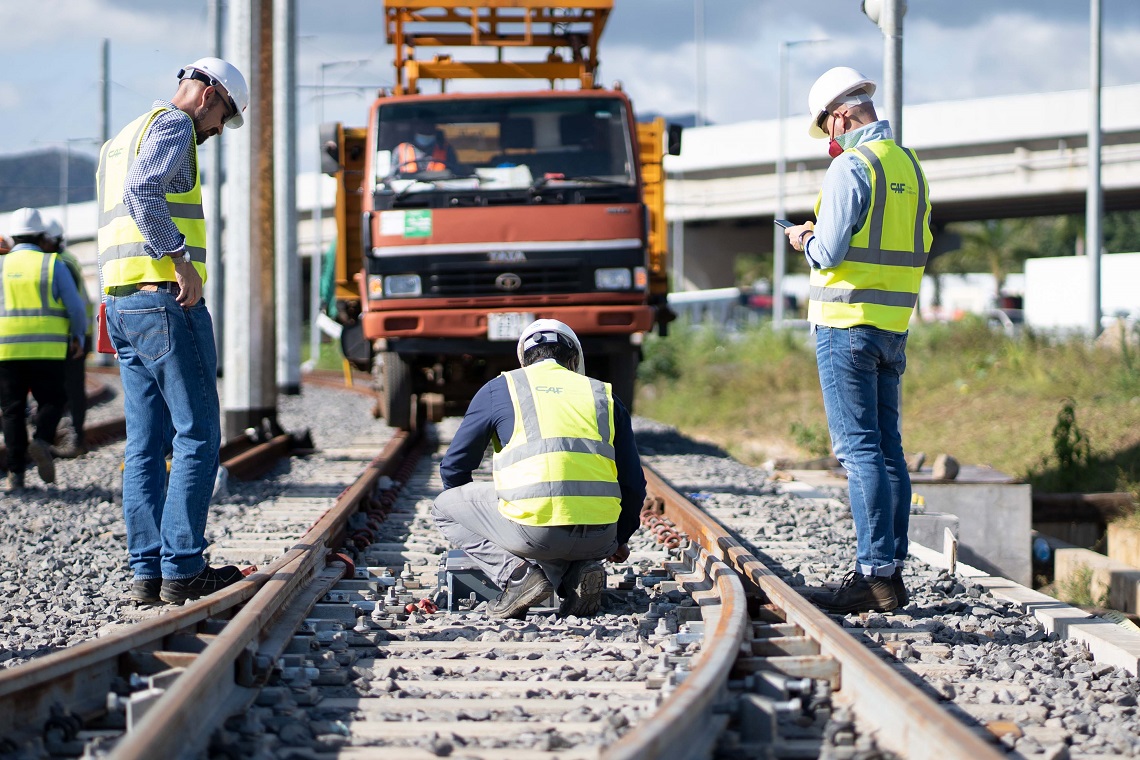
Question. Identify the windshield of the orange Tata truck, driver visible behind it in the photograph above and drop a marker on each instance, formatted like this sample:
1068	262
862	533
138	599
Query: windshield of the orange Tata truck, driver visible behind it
503	144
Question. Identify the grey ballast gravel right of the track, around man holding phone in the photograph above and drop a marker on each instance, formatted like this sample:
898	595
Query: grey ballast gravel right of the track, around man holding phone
1063	701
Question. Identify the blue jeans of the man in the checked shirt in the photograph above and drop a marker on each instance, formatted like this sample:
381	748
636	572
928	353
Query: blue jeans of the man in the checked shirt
169	367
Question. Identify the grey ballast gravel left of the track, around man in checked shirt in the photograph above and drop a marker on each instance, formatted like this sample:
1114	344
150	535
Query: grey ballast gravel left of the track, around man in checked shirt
63	546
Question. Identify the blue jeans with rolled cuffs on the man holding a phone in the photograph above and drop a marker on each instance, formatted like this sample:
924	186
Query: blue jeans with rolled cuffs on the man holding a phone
861	370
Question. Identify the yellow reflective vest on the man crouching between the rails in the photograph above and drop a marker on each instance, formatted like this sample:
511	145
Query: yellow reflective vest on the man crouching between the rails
559	467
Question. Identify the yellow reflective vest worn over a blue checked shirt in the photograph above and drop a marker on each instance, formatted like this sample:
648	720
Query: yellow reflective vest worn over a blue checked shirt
124	259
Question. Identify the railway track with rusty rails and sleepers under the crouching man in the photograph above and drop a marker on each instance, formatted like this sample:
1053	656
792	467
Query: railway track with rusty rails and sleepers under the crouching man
337	649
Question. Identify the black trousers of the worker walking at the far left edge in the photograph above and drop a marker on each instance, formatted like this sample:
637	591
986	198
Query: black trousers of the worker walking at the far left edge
44	379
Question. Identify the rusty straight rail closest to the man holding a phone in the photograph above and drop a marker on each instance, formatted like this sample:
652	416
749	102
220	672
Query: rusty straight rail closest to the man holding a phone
902	717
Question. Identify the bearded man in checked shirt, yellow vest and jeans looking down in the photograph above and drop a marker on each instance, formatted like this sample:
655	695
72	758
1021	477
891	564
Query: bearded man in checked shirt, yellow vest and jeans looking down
152	258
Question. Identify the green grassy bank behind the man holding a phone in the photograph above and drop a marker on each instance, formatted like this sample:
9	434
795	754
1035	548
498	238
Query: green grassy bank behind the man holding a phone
1061	414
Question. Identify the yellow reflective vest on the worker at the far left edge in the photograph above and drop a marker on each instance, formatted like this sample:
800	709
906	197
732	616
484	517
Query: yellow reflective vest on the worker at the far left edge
34	323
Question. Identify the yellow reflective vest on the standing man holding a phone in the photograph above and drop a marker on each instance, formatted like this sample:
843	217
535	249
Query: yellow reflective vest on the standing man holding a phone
878	281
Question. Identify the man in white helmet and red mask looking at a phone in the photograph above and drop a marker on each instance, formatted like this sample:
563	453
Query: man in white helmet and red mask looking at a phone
867	251
